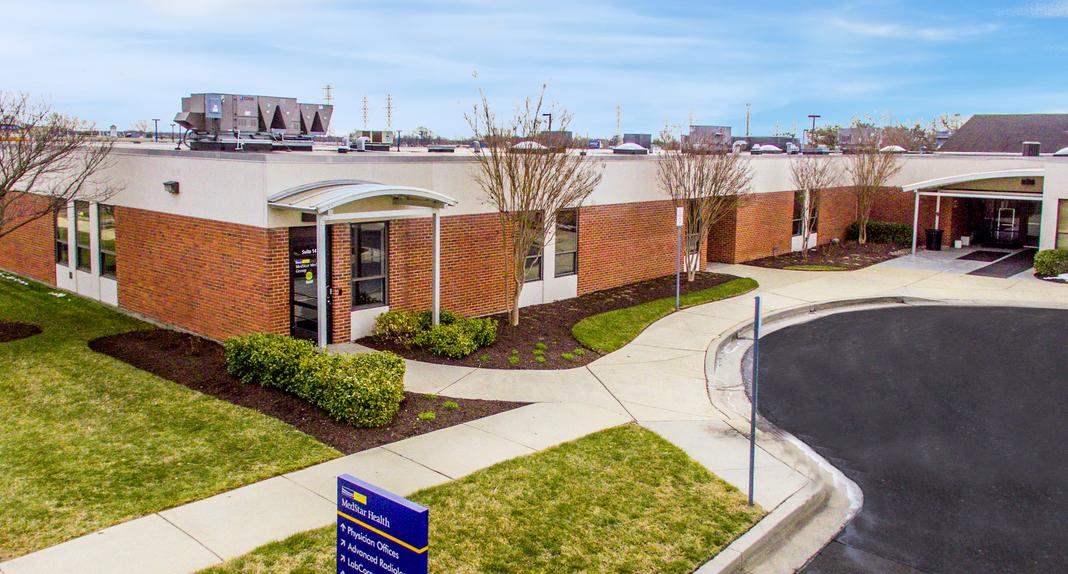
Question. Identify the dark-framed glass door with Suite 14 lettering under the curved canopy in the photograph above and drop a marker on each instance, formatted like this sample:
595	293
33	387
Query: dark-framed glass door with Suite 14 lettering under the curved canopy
304	285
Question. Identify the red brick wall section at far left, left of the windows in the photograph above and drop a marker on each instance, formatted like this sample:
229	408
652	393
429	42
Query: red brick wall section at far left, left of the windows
30	250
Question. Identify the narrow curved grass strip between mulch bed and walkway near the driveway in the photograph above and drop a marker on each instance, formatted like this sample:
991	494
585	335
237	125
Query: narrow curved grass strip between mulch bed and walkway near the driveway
608	332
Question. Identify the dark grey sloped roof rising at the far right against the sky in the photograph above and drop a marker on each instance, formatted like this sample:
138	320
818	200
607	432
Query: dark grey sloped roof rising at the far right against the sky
1006	133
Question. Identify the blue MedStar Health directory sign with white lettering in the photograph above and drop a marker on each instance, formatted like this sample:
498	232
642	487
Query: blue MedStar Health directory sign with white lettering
379	532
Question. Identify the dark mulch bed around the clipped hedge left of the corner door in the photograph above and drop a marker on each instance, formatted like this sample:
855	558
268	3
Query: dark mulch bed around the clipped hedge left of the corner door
200	365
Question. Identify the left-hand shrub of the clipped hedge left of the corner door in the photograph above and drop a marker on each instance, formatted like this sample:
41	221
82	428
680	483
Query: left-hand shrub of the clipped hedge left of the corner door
270	361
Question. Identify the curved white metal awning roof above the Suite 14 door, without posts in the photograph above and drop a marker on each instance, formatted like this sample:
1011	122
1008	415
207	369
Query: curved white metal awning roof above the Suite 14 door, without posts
321	197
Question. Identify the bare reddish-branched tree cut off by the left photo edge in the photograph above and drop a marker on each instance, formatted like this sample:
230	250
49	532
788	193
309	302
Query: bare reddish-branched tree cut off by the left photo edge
46	161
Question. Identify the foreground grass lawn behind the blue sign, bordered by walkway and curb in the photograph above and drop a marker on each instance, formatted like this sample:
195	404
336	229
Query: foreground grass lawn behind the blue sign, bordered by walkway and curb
619	501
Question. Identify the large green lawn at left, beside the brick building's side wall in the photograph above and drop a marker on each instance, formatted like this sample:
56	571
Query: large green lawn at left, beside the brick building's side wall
89	442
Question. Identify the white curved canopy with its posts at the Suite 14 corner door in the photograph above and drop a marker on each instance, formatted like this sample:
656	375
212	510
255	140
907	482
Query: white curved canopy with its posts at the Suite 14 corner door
354	201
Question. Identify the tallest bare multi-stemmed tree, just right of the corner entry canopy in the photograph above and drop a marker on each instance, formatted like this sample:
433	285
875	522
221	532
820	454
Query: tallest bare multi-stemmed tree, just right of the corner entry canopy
527	174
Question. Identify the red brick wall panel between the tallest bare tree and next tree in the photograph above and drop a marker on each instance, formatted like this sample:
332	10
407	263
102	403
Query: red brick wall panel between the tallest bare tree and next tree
625	243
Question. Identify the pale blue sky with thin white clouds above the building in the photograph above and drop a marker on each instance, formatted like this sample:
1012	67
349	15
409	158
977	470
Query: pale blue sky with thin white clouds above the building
663	61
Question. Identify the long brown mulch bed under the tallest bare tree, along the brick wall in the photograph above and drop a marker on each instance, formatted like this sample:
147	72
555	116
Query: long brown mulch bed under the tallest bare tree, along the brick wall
552	324
